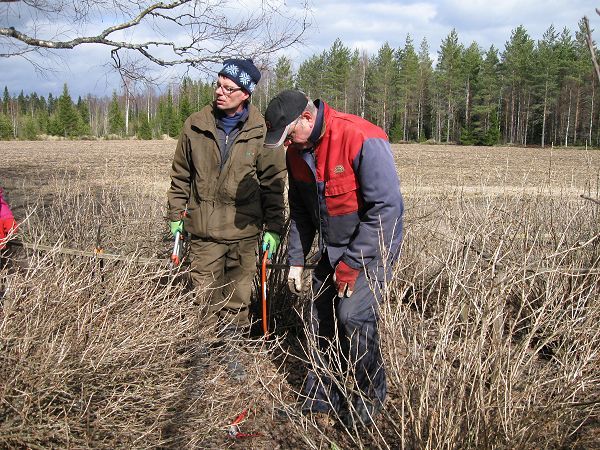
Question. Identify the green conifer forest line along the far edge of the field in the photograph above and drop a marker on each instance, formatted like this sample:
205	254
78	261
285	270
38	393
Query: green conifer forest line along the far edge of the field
530	93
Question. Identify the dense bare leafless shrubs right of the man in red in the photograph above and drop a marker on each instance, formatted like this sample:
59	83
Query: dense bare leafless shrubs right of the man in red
490	329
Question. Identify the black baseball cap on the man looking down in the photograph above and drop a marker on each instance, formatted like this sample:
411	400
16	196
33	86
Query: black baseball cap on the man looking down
281	113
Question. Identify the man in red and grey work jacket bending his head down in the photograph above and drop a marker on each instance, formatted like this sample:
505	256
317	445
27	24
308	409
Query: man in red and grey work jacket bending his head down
343	184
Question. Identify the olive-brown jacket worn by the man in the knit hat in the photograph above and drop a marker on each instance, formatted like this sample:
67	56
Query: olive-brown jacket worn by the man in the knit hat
237	201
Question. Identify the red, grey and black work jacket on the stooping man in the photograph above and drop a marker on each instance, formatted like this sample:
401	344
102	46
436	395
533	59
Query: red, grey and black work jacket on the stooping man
346	187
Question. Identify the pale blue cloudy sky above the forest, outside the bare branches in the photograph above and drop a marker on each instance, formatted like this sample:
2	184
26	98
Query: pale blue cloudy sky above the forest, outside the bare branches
362	24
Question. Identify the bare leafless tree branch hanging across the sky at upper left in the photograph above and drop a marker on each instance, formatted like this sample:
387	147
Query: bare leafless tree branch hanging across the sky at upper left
192	33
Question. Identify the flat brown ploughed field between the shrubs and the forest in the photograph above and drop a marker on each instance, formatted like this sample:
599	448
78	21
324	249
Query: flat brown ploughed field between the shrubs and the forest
428	168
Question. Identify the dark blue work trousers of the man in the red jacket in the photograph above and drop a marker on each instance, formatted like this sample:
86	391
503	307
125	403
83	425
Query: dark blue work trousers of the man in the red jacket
344	339
